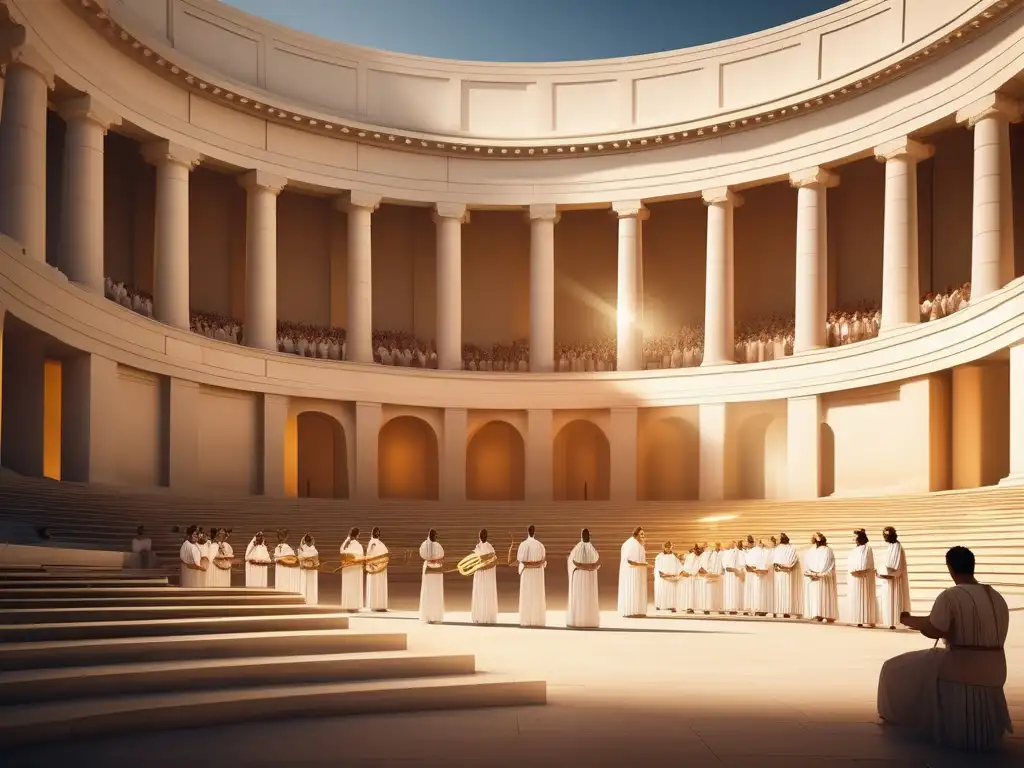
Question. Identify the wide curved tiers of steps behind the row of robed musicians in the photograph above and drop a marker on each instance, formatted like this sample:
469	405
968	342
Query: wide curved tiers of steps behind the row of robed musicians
989	521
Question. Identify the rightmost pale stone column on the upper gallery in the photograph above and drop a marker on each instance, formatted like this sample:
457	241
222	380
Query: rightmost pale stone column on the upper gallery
993	222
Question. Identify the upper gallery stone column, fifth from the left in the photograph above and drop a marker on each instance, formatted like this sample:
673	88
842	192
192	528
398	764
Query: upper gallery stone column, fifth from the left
360	328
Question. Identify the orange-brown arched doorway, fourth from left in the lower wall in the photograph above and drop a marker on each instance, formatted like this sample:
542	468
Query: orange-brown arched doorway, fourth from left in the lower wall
582	463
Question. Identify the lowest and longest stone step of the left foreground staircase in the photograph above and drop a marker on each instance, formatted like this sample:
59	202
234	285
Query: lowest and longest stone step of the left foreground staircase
90	718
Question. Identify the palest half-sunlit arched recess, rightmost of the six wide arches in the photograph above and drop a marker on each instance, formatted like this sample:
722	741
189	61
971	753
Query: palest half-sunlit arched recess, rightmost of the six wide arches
761	454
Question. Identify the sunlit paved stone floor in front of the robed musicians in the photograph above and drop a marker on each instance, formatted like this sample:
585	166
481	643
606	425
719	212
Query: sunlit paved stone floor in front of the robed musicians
688	692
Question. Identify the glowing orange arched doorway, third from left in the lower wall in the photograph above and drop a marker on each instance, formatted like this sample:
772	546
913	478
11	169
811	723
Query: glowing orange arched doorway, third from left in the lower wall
496	464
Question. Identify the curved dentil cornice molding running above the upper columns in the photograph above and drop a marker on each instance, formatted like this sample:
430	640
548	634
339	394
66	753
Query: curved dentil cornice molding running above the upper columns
269	107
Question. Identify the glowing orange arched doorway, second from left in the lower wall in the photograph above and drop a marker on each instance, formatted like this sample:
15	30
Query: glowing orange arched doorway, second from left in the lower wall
407	460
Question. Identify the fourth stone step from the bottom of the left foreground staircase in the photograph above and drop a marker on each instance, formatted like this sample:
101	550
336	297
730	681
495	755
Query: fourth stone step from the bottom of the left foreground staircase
170	627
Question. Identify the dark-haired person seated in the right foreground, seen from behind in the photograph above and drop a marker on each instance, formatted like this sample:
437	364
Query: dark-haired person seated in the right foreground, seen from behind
954	695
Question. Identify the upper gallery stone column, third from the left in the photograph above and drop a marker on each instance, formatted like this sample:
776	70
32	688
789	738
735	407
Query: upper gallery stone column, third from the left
170	250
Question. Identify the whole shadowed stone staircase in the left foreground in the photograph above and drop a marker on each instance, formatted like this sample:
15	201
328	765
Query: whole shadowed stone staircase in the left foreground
93	653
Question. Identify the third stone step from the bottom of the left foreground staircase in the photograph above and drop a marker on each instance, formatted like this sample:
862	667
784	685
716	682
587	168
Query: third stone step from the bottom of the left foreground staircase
60	655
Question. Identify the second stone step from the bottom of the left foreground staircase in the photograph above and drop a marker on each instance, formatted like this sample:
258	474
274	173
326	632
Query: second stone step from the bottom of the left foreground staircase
37	687
